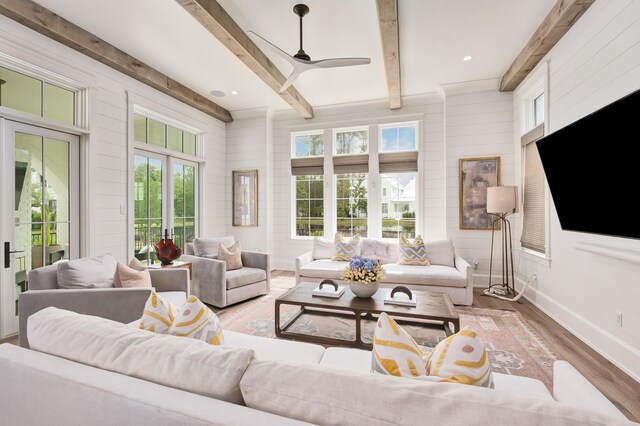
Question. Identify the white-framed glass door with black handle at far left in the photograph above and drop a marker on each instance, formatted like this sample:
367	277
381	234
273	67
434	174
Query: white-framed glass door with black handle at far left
39	212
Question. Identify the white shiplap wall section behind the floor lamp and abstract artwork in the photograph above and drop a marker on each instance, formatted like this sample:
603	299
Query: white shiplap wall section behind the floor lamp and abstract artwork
478	123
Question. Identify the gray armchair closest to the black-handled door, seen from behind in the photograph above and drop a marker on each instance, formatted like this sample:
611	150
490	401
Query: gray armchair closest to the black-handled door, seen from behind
118	304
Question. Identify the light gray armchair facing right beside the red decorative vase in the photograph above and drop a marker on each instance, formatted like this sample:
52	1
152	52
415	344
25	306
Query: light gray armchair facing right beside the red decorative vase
214	284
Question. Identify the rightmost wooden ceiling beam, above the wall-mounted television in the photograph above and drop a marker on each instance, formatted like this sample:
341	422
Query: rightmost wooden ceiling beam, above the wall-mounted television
560	19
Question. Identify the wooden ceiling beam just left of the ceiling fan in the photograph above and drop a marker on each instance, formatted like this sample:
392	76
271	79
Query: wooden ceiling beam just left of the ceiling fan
218	22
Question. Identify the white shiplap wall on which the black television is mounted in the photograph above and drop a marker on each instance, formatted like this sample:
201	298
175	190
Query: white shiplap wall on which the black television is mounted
595	63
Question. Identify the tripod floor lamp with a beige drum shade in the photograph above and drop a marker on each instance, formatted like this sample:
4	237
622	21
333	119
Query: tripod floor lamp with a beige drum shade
501	201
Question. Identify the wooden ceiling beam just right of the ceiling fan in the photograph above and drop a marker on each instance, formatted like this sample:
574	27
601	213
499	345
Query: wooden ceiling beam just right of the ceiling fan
388	21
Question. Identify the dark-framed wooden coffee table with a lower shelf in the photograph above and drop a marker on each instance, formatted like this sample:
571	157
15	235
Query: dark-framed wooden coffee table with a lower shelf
433	310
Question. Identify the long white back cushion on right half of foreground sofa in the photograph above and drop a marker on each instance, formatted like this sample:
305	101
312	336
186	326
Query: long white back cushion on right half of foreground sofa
320	395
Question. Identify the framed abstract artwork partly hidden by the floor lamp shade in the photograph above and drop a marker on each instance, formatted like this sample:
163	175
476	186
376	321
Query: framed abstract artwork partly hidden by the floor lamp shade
476	175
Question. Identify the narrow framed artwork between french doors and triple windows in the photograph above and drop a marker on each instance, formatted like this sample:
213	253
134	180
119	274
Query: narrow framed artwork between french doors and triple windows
244	185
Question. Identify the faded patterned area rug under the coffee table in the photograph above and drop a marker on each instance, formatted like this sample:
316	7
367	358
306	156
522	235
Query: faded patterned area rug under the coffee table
513	346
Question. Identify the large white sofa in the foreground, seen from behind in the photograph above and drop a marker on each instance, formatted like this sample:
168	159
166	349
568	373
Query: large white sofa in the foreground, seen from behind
76	375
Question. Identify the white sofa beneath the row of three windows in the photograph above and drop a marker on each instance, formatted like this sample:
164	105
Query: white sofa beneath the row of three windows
447	272
